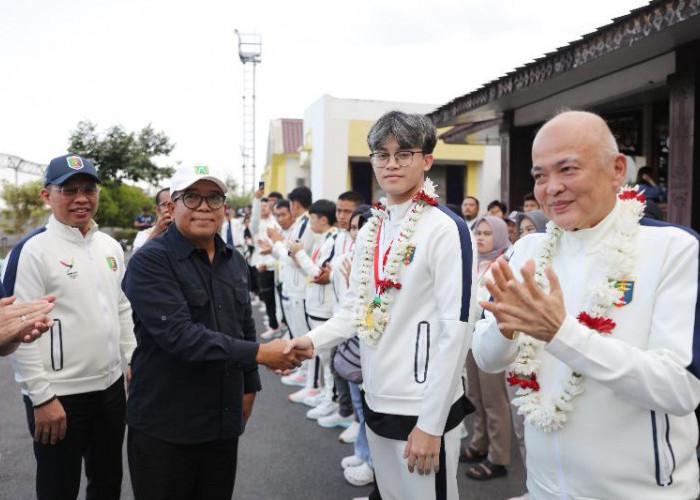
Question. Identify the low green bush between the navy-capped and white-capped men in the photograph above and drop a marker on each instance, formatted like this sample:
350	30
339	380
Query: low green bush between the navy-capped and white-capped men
120	204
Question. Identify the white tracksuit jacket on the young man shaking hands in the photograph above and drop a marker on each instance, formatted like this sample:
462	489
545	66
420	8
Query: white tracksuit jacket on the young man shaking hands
432	313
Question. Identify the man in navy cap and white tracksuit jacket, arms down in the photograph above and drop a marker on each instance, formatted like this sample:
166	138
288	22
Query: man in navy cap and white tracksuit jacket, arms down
72	377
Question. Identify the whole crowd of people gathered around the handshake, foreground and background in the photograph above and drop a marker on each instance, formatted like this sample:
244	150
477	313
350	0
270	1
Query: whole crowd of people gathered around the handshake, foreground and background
571	322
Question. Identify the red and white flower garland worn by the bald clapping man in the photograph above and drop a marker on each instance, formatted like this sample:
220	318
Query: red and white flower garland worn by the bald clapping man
618	259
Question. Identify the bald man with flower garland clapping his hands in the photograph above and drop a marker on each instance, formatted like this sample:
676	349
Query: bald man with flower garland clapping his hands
596	322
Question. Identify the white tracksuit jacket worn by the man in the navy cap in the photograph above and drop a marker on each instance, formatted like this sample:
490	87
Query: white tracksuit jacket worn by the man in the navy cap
93	324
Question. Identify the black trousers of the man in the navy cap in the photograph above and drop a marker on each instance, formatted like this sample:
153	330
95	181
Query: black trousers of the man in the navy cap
96	433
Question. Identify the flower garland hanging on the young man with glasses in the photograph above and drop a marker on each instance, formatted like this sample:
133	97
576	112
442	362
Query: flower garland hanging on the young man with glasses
372	314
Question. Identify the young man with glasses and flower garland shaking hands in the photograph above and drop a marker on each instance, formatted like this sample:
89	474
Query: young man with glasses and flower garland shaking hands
410	303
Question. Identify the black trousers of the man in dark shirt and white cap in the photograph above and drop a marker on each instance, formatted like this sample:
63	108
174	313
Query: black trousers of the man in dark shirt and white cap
161	470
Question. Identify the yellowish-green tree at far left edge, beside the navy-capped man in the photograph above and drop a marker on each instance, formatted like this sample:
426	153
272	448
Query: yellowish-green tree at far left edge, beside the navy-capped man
25	209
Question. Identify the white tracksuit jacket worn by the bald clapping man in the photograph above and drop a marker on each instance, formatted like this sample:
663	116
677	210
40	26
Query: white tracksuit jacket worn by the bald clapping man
632	433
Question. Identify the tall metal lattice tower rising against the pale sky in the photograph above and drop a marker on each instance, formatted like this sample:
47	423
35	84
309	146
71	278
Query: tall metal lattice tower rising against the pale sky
249	51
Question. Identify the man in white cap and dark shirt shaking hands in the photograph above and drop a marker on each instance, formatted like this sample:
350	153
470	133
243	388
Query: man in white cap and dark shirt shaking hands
195	367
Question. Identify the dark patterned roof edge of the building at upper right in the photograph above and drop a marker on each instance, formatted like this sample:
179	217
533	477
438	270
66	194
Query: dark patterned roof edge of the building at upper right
627	31
